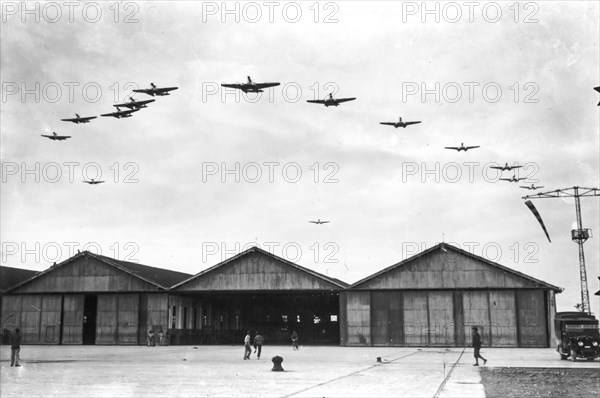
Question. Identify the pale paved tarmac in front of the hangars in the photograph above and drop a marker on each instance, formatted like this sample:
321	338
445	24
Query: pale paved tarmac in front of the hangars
220	371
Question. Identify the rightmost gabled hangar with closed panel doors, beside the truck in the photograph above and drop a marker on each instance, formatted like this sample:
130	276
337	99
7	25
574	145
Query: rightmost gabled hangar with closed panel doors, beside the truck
436	297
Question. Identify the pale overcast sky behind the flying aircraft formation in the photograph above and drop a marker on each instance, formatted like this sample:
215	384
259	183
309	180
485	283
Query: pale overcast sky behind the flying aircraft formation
525	76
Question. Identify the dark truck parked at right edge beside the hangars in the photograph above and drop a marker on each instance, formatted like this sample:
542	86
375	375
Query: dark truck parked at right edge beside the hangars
577	335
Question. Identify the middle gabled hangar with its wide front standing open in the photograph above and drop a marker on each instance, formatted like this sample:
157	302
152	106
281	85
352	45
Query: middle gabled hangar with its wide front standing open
256	291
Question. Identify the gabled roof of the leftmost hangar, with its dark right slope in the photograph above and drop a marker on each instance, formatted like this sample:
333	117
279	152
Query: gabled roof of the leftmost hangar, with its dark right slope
159	277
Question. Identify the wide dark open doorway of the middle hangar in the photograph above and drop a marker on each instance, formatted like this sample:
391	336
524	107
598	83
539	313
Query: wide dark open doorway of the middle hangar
224	317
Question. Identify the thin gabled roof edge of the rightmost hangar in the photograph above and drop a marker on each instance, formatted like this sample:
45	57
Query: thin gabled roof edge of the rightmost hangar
446	247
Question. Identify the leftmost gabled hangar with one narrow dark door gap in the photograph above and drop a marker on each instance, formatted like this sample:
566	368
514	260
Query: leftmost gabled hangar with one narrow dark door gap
89	299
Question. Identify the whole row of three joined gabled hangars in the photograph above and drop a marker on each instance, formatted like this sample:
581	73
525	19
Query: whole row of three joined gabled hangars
431	299
